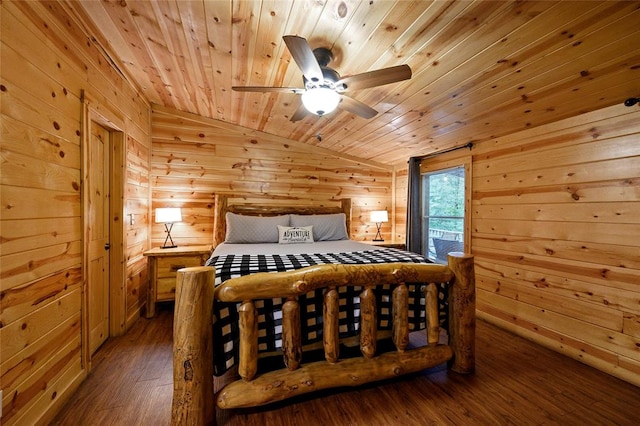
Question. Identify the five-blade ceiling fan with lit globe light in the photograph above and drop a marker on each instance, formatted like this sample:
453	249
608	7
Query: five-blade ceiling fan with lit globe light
324	90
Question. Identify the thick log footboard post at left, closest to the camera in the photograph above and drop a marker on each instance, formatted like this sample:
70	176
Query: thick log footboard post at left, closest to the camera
193	402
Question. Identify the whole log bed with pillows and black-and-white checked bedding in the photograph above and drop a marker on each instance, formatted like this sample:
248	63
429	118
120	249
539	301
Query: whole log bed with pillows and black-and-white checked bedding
257	300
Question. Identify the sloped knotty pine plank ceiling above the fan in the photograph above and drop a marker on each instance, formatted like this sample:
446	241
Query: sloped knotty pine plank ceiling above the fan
481	69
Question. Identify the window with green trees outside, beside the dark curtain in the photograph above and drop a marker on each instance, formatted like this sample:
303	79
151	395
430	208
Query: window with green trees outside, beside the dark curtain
443	198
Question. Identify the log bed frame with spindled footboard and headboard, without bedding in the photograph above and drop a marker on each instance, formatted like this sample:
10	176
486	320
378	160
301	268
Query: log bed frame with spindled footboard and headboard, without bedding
193	395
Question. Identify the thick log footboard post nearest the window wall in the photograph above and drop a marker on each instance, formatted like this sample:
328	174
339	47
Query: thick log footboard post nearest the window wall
462	313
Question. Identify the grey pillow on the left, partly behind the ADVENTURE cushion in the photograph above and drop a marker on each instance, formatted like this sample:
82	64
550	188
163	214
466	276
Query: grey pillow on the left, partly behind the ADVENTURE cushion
244	229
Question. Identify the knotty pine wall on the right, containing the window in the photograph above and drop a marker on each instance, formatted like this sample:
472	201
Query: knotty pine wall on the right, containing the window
556	235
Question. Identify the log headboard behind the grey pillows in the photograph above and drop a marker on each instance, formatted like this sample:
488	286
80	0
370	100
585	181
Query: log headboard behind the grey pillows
223	206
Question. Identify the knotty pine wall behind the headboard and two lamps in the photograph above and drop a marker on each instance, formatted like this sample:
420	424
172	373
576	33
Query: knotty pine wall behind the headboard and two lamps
194	158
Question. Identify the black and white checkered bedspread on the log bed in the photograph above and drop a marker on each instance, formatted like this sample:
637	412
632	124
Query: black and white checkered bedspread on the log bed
225	321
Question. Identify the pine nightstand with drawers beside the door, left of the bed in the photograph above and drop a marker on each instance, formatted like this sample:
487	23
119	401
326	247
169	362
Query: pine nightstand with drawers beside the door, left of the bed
163	268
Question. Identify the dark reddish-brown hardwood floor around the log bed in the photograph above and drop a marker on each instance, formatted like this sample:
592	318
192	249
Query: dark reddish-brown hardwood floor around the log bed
516	383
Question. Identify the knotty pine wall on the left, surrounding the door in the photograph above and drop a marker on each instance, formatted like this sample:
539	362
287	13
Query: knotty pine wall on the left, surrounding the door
47	61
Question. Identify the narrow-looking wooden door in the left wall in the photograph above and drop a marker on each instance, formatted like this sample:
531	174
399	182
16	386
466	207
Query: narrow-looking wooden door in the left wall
98	236
